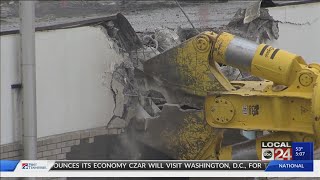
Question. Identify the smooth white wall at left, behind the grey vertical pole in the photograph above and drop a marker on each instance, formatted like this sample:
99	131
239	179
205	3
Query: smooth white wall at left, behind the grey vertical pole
73	69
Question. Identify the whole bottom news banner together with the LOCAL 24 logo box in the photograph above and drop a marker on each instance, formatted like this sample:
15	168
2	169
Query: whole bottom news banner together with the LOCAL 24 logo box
278	157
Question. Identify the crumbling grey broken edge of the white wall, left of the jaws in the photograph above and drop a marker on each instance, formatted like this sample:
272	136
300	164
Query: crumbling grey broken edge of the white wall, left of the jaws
130	95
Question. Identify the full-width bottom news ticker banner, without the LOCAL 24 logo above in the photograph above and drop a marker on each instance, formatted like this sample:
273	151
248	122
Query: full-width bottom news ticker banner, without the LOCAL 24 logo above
45	168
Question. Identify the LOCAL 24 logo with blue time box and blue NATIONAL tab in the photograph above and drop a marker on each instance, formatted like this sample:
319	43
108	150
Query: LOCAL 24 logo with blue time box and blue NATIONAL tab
287	155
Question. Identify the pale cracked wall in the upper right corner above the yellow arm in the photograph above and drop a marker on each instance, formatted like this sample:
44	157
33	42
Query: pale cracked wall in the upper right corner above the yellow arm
299	28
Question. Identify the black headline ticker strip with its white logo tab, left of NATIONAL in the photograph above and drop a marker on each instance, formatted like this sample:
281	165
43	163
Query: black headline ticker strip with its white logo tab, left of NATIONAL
70	165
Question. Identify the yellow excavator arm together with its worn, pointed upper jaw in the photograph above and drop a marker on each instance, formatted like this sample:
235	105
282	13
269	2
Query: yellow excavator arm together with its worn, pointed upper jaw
286	103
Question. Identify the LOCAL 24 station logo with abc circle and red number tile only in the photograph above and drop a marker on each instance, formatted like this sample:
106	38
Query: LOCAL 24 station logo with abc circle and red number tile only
276	150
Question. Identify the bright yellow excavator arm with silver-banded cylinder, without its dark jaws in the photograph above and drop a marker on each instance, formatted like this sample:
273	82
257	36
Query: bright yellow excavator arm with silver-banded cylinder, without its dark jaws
286	103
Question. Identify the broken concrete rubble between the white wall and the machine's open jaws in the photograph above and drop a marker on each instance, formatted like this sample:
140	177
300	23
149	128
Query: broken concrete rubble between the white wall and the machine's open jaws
140	98
